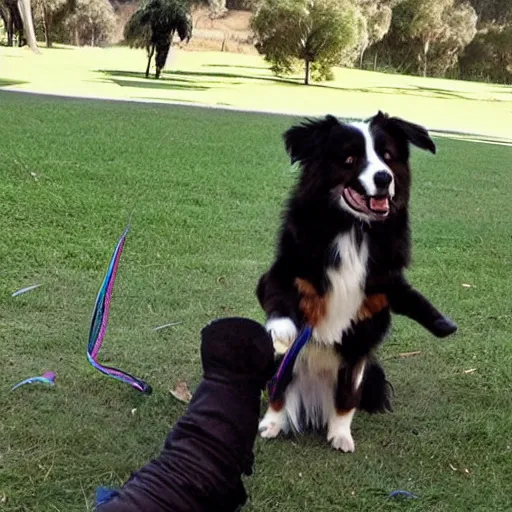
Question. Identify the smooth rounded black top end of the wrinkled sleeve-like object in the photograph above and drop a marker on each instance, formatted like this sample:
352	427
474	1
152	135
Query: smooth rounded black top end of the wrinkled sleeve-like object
239	348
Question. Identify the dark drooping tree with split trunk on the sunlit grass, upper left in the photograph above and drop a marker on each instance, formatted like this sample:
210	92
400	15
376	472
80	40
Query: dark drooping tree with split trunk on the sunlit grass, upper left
153	25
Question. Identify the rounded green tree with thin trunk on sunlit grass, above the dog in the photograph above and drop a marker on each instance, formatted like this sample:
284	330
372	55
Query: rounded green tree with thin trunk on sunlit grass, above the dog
313	31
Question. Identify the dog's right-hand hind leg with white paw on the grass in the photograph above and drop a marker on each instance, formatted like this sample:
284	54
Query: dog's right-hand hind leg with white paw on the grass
346	400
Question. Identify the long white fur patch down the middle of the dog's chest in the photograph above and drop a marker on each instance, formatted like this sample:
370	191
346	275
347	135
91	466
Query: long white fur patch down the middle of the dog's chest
347	288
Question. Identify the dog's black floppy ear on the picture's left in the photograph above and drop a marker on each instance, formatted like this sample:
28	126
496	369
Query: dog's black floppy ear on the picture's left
306	140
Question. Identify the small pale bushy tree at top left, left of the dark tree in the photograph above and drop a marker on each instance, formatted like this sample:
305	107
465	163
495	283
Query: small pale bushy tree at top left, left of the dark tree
93	22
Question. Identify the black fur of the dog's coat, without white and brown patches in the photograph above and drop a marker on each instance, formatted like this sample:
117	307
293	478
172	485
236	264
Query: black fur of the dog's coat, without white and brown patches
313	220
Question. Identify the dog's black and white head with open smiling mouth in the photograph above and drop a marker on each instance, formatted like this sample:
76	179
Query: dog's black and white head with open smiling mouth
363	167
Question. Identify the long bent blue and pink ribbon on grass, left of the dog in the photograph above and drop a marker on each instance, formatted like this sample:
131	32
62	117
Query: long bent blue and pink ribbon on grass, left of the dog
100	319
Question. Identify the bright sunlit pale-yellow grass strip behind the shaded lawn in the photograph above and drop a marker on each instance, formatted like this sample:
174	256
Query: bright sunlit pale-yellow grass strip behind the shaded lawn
244	81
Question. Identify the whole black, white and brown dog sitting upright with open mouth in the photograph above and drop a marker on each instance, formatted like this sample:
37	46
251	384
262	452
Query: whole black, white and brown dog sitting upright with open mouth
342	251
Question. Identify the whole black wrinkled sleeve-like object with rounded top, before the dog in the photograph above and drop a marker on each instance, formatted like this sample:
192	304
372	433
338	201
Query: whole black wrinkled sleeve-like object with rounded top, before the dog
211	446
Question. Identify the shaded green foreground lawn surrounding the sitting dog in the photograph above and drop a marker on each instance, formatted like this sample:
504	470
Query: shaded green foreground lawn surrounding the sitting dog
206	188
